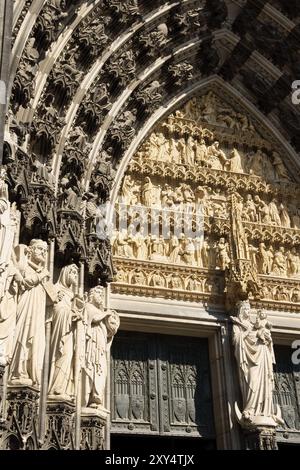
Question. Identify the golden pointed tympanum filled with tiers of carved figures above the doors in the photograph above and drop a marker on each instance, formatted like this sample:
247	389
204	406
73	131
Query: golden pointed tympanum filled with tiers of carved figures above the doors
206	169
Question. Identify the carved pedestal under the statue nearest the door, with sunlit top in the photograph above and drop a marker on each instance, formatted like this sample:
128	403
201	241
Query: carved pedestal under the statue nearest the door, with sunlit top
93	425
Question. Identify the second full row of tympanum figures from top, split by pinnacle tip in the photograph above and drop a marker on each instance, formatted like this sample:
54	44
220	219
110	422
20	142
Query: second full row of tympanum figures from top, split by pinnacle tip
187	199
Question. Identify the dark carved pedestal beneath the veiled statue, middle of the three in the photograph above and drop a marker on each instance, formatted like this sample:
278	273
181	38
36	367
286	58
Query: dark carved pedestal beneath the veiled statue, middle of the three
59	424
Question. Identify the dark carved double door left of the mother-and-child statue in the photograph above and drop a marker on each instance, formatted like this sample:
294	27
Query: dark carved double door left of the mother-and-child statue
160	385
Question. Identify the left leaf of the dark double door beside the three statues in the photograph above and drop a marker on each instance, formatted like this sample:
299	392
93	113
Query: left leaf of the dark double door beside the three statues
134	385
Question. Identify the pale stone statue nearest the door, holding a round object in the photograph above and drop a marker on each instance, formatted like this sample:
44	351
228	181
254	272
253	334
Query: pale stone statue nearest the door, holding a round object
102	325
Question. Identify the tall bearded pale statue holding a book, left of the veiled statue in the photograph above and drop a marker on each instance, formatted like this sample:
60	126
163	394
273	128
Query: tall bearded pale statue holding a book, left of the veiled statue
29	341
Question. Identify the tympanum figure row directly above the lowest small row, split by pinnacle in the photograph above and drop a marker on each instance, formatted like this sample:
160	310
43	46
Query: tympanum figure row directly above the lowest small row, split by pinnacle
203	253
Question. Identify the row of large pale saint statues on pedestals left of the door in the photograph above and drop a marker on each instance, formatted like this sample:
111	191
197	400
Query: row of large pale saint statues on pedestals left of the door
29	300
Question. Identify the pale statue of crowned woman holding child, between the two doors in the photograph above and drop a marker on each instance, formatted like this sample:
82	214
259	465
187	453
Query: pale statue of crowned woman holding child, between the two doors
255	358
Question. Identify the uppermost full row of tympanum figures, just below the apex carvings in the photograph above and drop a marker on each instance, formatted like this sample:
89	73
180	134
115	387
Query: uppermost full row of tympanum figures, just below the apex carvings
192	151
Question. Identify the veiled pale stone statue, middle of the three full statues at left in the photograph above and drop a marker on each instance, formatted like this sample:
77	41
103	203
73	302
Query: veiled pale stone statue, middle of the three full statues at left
63	316
